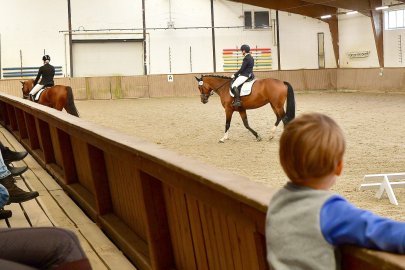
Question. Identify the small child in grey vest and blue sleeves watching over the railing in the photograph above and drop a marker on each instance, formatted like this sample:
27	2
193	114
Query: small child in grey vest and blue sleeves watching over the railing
305	221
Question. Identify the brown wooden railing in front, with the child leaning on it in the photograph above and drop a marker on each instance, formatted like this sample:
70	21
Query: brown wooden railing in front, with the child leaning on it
163	210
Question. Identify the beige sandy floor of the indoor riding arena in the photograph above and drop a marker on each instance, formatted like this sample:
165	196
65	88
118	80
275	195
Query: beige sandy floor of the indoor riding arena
373	124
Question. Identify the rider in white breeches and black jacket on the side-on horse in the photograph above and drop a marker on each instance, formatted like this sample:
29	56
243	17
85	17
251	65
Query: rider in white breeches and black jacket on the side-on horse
245	71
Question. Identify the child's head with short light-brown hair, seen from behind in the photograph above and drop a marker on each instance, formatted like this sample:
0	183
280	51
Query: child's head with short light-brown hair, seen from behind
311	147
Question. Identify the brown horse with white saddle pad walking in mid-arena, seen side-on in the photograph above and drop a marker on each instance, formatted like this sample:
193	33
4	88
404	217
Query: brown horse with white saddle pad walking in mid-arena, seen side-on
264	91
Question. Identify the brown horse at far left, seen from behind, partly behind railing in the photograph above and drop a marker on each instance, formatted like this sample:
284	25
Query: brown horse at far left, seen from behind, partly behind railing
57	97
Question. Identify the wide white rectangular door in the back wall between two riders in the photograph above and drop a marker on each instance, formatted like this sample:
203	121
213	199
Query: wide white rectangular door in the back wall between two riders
107	58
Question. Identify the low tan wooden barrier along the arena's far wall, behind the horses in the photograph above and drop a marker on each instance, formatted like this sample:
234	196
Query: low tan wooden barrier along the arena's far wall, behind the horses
185	84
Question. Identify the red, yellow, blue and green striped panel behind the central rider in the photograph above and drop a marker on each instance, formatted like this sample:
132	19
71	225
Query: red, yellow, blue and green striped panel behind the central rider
233	59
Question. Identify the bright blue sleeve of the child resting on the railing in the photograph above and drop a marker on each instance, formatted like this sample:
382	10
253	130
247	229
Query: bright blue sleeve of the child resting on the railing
343	223
